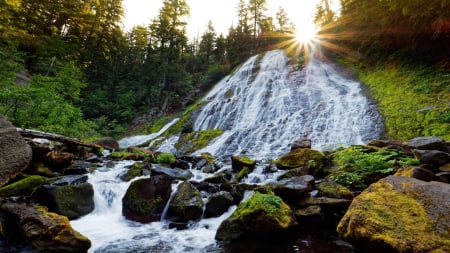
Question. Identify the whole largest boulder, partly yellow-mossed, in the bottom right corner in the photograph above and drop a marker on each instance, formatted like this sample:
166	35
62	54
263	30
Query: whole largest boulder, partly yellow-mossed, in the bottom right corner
399	214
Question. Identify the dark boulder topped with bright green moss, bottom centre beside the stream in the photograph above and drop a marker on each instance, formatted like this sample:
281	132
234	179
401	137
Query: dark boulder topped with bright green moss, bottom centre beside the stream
261	216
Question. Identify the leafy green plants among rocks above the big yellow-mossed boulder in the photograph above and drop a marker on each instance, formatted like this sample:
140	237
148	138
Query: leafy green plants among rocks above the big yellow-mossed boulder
358	166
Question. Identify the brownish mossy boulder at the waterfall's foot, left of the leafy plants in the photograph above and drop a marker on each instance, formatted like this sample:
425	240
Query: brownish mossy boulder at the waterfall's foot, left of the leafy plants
303	157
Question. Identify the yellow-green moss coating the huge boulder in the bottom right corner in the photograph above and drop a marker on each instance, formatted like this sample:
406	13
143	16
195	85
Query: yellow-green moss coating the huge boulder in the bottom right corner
384	215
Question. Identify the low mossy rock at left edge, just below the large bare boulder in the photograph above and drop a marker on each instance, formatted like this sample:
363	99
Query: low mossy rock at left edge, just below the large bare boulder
23	187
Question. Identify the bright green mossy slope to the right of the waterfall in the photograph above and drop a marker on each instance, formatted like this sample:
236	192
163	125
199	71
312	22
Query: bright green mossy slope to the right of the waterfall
412	98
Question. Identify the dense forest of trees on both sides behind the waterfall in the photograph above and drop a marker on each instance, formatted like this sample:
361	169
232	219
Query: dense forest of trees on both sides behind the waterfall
69	67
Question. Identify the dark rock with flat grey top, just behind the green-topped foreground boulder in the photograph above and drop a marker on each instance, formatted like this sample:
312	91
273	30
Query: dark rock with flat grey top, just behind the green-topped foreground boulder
293	189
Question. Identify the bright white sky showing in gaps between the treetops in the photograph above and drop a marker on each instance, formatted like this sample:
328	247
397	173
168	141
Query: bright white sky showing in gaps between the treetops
221	12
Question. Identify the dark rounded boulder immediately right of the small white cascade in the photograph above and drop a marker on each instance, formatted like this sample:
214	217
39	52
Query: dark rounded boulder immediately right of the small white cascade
145	199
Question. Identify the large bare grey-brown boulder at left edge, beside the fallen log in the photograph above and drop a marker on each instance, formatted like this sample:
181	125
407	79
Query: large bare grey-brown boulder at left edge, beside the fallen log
15	152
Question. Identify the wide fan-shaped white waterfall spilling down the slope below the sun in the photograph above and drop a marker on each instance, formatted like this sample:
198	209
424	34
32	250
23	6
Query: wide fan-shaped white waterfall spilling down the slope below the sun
267	104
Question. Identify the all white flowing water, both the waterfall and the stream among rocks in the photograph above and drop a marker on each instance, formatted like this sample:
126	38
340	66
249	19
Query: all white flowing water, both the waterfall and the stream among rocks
263	107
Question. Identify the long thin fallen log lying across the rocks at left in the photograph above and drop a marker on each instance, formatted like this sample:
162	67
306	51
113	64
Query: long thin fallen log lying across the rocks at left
28	133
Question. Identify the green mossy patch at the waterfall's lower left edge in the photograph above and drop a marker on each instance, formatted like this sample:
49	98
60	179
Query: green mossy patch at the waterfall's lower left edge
196	140
